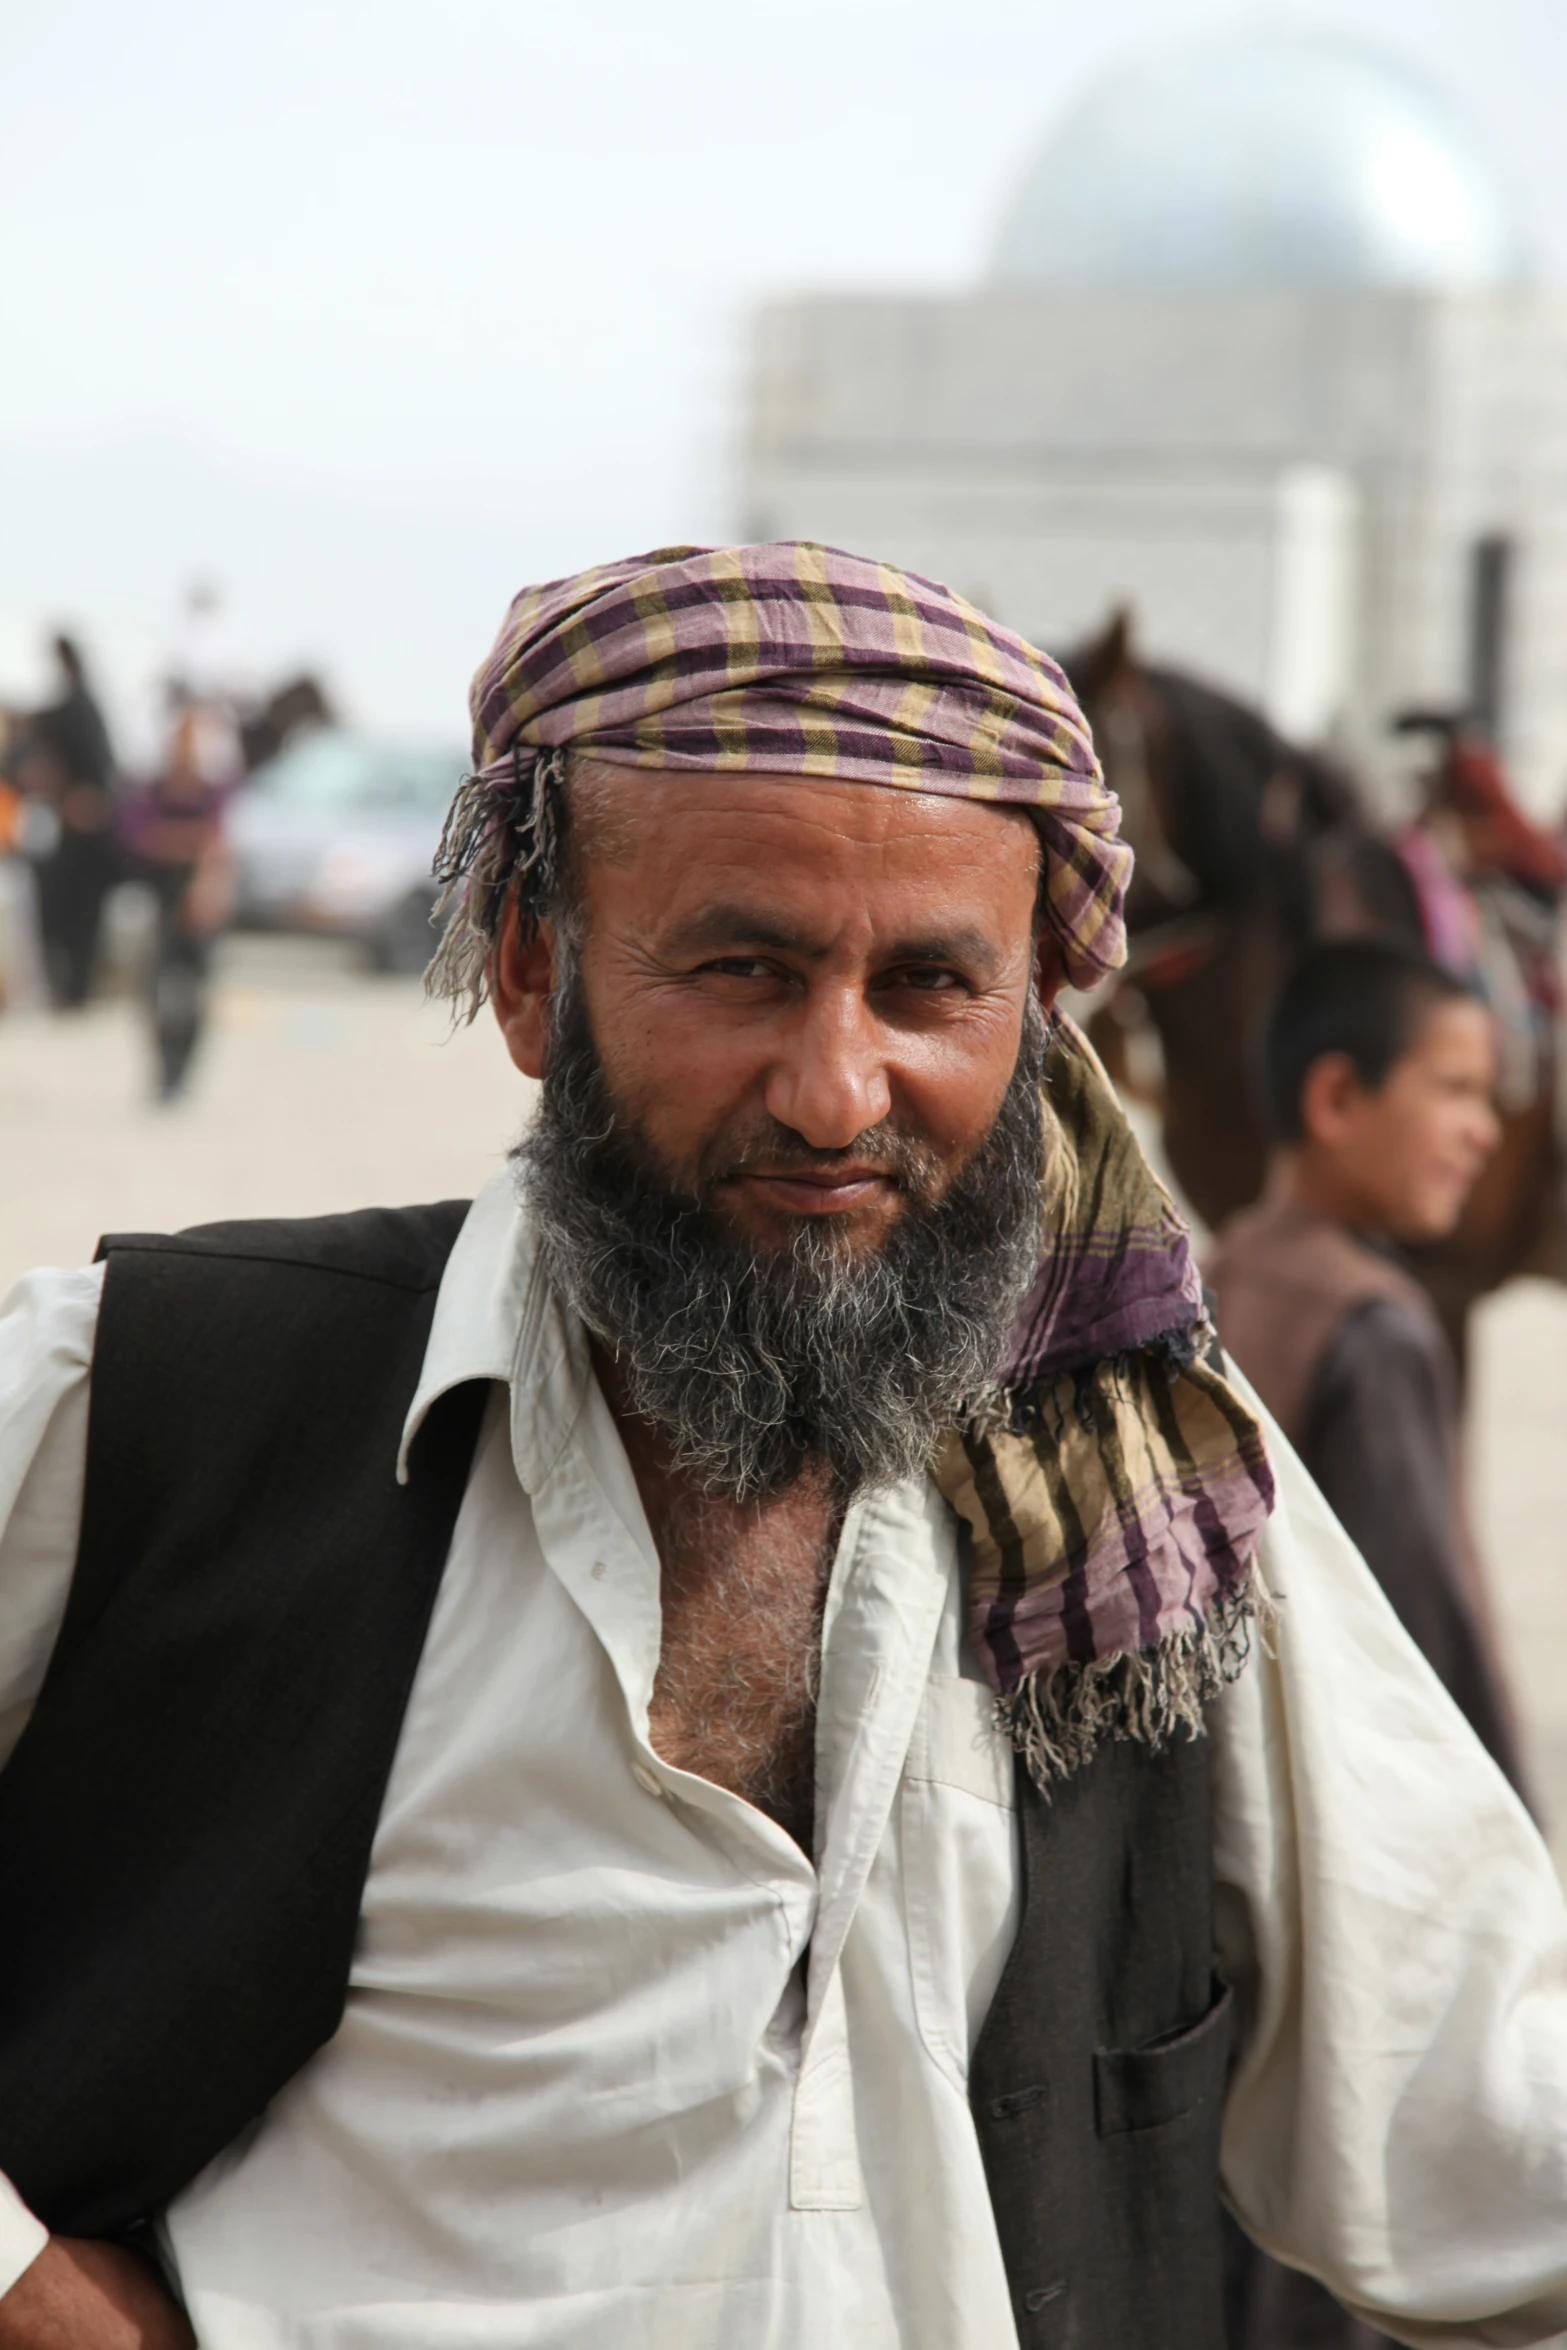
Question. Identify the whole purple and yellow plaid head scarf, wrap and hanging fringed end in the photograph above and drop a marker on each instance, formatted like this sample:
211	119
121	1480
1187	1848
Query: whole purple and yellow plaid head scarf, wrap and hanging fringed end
1115	1498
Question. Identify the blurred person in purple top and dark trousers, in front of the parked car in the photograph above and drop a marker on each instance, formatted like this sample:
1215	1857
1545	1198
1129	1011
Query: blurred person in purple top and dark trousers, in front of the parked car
175	838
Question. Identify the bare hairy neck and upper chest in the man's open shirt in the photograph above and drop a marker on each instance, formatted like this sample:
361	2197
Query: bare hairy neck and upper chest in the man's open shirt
741	1590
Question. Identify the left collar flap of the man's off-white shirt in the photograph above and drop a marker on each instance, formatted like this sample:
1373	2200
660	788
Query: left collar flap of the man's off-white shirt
497	1312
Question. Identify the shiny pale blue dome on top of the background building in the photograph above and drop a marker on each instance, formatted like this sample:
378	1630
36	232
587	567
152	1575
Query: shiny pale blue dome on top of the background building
1263	159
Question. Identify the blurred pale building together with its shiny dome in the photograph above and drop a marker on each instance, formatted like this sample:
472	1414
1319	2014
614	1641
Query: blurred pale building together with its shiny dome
1260	358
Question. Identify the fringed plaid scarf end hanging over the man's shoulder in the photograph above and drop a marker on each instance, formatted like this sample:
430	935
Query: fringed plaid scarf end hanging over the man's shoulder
1115	1503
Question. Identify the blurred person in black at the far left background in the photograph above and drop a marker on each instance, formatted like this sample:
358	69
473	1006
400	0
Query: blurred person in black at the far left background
67	765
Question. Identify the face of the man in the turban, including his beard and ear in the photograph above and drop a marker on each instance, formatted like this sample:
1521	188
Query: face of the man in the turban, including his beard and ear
788	1155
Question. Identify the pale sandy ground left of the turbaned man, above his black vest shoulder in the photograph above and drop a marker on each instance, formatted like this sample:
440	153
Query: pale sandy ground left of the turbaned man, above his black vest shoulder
318	1089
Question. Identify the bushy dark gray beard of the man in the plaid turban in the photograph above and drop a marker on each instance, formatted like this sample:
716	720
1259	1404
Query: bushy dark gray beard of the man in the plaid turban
758	1364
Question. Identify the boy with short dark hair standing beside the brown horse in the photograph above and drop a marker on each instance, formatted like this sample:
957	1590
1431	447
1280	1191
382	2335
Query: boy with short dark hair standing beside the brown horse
1380	1073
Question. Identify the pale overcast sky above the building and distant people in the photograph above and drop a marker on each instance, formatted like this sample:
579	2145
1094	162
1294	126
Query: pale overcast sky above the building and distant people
377	309
